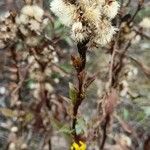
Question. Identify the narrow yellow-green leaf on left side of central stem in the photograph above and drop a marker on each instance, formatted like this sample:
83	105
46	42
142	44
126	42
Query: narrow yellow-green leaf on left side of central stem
72	93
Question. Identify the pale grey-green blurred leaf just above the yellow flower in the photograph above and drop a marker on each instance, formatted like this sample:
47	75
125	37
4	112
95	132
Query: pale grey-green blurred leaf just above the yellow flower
80	126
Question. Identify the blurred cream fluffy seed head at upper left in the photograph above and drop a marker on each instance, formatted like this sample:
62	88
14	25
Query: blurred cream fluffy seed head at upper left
31	15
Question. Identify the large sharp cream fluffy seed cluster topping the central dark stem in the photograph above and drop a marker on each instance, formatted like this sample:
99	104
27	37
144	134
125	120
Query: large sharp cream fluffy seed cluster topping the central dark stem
88	19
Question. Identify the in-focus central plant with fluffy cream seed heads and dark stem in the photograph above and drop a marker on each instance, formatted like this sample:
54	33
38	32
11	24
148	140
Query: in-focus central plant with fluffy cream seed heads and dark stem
90	26
